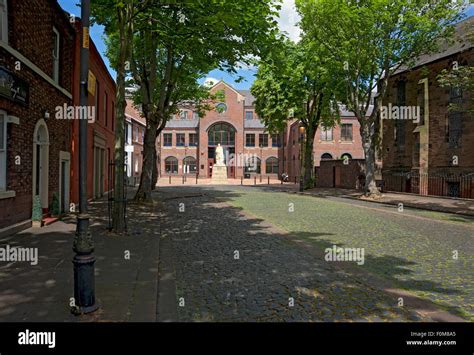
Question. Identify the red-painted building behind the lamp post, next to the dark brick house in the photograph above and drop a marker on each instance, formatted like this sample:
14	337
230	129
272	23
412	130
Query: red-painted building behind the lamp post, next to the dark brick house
100	135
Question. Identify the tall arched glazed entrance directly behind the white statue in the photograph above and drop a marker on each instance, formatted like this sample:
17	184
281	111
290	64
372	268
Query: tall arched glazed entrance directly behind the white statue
224	134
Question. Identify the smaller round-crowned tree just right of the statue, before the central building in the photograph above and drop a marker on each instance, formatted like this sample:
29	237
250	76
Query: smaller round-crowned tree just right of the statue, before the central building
295	81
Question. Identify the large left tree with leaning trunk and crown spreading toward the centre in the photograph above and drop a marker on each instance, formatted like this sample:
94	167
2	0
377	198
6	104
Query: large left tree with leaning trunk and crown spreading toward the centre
175	46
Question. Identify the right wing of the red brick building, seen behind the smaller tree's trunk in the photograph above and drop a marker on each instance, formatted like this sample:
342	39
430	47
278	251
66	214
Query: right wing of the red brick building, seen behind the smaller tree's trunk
329	144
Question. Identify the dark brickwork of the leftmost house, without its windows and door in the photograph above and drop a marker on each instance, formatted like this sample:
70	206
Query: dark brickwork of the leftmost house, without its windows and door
30	33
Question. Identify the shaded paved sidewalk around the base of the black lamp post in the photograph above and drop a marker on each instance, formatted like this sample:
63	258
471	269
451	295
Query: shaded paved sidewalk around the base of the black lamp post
125	289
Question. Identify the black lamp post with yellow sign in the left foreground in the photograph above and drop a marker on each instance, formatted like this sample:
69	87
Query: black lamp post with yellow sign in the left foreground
84	259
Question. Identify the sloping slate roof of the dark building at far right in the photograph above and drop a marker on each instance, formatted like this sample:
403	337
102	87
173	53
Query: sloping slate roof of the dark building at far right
447	49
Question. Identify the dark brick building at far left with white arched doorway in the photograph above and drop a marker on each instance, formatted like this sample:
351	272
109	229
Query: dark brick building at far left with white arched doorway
36	72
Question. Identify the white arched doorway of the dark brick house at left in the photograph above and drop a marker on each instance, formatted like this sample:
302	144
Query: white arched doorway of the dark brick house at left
41	162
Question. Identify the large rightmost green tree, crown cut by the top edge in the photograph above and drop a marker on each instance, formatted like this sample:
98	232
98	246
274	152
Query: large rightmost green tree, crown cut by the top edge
371	39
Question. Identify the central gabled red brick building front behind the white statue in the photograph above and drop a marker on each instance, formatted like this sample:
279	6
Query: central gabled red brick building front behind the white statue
187	145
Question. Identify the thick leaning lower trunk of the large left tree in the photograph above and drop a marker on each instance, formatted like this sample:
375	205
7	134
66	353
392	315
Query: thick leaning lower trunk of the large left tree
149	163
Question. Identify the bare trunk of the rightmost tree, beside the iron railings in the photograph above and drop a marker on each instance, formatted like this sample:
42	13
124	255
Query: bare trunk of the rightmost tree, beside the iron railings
367	131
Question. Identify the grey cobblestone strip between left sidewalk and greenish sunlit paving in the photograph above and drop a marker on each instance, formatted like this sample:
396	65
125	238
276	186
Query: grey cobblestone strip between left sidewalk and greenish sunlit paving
232	267
